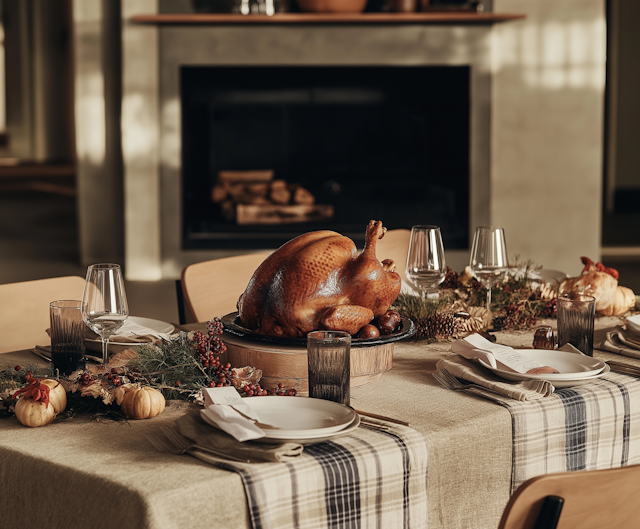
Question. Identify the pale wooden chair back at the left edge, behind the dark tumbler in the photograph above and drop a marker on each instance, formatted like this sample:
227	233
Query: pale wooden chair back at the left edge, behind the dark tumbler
24	310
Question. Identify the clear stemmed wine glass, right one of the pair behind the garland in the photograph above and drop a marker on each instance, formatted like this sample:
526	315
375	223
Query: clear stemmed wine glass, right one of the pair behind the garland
488	262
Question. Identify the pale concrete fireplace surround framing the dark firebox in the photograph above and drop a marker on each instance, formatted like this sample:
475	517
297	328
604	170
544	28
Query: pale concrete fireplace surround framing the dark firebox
536	116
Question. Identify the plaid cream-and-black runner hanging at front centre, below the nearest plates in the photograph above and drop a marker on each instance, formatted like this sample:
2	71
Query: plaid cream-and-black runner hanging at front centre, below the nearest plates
368	479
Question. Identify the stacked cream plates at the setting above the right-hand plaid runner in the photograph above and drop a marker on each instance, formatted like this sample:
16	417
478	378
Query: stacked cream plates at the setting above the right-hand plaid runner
575	369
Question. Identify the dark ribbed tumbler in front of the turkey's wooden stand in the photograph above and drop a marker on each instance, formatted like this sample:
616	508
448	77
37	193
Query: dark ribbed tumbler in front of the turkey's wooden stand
328	356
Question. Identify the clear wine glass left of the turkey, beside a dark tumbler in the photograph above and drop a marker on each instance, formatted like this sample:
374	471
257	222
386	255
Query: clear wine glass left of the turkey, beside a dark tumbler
104	303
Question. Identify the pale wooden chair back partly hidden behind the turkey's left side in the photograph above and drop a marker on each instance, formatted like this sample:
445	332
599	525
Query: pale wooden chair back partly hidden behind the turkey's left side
212	288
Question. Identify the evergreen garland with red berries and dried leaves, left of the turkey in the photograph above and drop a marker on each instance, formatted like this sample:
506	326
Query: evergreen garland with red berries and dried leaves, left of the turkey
178	368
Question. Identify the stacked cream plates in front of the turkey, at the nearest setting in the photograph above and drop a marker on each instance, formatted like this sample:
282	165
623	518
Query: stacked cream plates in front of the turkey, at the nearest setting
300	420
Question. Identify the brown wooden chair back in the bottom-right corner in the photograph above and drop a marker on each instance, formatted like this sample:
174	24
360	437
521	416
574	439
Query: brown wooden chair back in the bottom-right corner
583	499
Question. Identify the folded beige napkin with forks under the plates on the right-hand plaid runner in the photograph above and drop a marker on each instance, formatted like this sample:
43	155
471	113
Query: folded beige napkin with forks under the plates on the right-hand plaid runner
473	372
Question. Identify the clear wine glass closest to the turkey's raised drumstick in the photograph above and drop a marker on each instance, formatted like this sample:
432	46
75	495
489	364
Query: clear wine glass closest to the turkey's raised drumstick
425	267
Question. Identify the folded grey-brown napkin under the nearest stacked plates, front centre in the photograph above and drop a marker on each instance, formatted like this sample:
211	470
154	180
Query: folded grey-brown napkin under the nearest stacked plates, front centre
199	432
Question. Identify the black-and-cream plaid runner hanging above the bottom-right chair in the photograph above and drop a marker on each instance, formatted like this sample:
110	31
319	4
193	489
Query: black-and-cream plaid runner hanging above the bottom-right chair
595	426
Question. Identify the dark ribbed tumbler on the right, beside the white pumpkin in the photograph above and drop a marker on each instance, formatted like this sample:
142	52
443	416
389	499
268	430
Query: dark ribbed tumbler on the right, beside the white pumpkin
576	314
